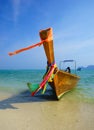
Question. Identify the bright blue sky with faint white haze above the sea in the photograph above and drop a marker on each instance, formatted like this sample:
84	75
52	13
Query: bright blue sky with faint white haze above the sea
73	30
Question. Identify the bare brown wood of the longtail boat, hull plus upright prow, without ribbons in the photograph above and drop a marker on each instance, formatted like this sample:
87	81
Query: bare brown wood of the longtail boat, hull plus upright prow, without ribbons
62	81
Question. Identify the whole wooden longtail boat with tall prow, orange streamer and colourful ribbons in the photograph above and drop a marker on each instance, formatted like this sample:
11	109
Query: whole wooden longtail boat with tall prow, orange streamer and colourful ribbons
59	80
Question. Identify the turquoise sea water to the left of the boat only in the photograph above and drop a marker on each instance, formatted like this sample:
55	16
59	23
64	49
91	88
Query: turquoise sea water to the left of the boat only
16	80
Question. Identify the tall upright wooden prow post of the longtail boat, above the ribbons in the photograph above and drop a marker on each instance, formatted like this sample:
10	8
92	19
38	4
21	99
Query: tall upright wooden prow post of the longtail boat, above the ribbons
48	44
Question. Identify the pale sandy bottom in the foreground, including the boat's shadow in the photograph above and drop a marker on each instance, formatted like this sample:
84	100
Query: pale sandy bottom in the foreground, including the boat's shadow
23	112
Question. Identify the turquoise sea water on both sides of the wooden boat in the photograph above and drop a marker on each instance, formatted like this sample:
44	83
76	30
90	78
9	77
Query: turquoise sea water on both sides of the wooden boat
15	81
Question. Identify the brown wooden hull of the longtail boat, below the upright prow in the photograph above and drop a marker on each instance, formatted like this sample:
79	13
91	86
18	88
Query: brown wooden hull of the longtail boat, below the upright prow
63	82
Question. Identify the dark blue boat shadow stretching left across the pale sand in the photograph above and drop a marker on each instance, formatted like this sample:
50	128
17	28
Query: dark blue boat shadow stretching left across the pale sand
25	97
